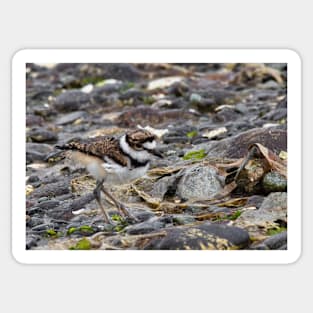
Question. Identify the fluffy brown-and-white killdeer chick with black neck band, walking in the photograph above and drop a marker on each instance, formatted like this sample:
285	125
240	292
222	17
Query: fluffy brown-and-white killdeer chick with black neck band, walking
114	161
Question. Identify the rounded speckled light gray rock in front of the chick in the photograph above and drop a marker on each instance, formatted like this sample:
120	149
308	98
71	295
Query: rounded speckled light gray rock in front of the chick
199	182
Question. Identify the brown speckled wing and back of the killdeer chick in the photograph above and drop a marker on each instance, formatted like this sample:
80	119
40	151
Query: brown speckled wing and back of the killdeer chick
100	147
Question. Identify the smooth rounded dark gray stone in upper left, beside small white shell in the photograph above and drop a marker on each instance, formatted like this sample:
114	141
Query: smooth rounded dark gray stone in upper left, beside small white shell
71	100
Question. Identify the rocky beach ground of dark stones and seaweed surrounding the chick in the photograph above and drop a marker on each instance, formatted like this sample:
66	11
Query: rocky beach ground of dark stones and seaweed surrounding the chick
223	133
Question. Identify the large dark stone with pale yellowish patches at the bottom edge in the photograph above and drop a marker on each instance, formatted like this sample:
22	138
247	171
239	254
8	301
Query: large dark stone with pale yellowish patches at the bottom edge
205	236
